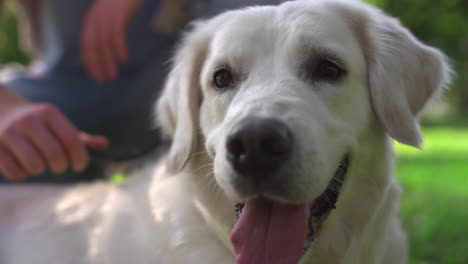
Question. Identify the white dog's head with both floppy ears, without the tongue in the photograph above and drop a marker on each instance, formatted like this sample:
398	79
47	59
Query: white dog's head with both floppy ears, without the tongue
280	95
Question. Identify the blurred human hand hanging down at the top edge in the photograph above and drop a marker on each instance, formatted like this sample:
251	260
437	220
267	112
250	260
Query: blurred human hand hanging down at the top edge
104	37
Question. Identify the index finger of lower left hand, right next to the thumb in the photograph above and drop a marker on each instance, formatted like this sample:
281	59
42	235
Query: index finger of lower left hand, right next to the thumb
68	137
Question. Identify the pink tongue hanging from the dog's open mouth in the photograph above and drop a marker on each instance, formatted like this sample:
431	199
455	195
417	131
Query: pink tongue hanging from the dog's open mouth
269	232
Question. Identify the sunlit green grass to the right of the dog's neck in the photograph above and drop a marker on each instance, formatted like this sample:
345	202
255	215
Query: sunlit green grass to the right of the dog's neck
435	198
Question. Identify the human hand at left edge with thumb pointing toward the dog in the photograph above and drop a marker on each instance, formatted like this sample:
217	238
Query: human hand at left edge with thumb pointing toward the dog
35	137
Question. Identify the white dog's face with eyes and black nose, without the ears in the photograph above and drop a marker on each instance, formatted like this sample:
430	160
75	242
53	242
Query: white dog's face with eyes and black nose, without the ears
284	100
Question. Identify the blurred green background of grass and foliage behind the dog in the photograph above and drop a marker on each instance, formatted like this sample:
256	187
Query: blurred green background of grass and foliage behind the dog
435	181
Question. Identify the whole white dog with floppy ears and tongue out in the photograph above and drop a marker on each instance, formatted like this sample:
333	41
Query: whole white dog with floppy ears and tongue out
286	111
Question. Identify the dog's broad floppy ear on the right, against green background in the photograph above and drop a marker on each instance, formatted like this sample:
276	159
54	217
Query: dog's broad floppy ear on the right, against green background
403	73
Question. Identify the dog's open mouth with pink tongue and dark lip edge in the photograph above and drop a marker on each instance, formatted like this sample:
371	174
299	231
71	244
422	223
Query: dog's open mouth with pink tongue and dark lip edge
270	232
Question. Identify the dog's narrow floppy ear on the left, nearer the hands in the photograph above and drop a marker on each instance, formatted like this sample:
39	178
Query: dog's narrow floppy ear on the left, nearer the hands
178	107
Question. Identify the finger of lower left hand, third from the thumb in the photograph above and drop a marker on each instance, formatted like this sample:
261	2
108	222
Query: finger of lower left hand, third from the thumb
27	156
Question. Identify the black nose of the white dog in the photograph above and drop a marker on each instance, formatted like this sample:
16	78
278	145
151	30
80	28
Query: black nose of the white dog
259	145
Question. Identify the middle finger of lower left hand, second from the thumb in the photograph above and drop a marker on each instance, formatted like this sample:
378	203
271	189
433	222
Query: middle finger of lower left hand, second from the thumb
49	147
